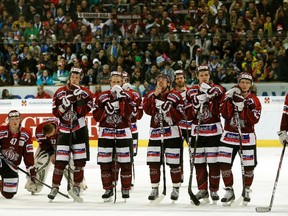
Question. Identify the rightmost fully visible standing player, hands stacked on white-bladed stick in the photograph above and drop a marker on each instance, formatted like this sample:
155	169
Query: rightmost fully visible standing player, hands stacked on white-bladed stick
241	110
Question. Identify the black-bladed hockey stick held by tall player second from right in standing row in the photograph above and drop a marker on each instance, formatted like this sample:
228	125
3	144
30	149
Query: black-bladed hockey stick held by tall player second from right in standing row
192	159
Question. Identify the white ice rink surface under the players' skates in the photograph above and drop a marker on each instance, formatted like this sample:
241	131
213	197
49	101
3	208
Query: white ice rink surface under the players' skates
268	159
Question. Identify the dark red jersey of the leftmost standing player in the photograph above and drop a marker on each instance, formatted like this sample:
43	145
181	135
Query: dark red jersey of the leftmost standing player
76	112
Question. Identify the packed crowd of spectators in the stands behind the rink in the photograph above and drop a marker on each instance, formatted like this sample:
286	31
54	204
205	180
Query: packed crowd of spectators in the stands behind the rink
40	40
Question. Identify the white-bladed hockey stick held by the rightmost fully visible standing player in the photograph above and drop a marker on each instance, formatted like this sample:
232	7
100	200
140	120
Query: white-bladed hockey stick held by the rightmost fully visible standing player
241	198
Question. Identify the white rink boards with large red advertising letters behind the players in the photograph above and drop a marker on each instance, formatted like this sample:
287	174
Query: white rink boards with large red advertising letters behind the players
35	111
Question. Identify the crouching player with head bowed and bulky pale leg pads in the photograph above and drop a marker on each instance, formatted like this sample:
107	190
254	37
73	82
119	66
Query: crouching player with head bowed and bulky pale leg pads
46	136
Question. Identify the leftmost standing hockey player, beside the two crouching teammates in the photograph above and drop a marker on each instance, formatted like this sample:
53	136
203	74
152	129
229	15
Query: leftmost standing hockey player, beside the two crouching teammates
70	105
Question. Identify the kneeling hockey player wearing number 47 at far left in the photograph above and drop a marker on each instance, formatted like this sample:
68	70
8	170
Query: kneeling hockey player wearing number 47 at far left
15	143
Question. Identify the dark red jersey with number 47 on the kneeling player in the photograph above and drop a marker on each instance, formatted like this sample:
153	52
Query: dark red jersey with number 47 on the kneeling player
14	146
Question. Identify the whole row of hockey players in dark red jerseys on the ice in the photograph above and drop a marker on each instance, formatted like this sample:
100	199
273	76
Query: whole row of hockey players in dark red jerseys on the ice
178	114
